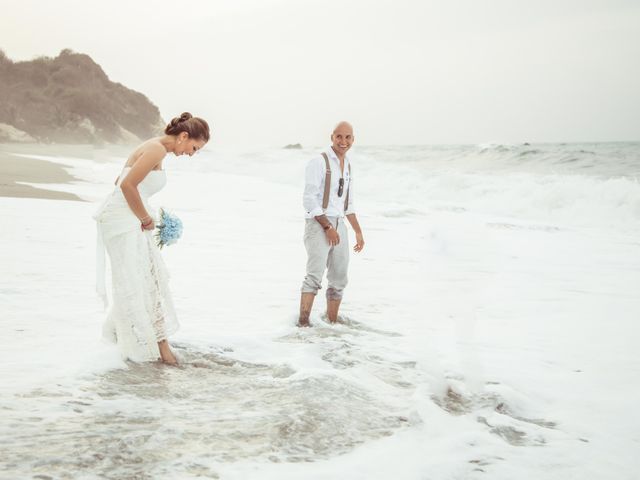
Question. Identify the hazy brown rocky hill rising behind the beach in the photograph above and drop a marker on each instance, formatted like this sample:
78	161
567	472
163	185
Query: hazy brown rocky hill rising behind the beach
69	99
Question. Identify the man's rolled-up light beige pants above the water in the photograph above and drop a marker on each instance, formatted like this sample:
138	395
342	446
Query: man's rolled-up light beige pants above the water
321	256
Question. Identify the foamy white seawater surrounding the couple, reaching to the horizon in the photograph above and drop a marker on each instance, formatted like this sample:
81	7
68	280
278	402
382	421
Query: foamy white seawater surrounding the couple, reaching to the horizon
489	328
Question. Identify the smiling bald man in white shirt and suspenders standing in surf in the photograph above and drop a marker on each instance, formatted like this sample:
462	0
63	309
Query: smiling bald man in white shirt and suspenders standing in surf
326	205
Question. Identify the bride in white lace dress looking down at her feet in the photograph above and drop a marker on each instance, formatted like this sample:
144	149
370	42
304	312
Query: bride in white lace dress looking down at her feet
142	315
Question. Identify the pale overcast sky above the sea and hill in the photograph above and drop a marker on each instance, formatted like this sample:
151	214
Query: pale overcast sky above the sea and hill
272	72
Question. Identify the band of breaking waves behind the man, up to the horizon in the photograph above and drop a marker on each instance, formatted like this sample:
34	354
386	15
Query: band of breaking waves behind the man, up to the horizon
558	184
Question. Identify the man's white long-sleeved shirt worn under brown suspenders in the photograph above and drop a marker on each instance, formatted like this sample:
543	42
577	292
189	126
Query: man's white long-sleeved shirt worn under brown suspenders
314	187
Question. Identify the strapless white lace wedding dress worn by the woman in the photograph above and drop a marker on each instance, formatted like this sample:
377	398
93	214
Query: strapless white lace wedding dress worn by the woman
141	312
